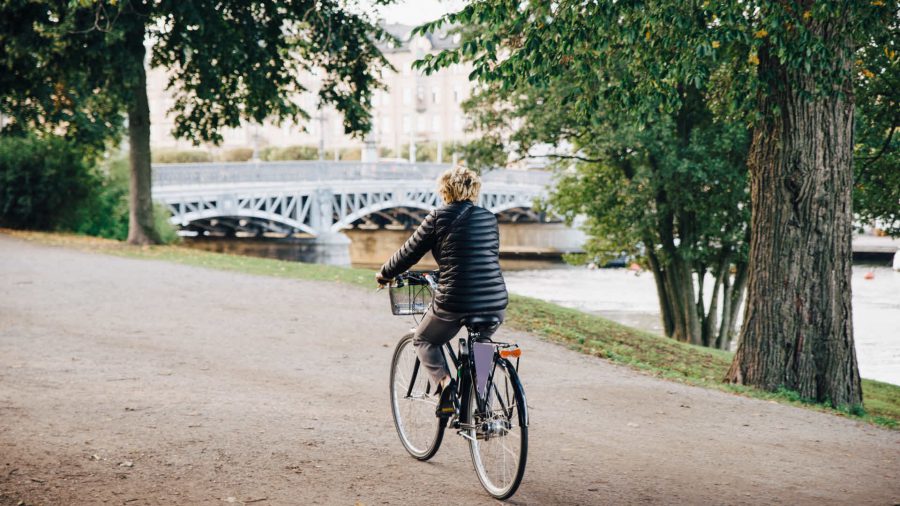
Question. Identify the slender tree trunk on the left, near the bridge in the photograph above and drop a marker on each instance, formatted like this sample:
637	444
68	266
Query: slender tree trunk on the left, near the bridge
140	220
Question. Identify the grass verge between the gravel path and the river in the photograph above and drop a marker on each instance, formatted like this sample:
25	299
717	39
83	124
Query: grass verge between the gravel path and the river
580	331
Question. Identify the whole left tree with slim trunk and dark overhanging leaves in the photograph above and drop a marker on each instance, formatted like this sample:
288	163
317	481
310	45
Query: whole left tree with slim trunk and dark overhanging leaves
80	67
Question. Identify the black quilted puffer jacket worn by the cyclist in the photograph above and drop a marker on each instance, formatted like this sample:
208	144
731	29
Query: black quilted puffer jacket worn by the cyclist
468	257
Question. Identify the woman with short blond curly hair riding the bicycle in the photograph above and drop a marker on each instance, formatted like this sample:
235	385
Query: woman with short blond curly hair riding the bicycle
465	242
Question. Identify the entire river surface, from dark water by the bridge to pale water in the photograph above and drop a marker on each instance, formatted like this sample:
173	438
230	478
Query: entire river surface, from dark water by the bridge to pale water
617	294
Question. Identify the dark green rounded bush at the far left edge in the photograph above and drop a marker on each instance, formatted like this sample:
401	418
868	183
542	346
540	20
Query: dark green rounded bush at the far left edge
43	182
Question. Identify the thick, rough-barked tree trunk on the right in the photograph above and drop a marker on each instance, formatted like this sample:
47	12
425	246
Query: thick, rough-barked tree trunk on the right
798	329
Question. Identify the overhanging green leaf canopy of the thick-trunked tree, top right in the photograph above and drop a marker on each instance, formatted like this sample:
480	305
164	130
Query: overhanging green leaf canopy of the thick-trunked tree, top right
657	47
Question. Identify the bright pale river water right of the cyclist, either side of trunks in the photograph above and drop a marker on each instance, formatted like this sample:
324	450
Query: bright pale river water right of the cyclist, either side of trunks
622	296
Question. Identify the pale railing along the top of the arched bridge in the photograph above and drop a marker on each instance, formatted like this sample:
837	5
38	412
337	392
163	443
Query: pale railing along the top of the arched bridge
189	174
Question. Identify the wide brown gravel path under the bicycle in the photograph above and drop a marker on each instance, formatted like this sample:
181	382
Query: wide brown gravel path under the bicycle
140	382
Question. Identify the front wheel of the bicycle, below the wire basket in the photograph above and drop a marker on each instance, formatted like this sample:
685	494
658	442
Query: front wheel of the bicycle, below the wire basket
413	403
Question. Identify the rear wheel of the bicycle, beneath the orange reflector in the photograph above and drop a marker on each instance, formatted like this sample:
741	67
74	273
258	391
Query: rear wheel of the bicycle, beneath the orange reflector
499	441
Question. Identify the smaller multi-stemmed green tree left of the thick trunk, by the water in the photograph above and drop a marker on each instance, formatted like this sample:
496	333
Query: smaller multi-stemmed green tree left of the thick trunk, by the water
671	190
